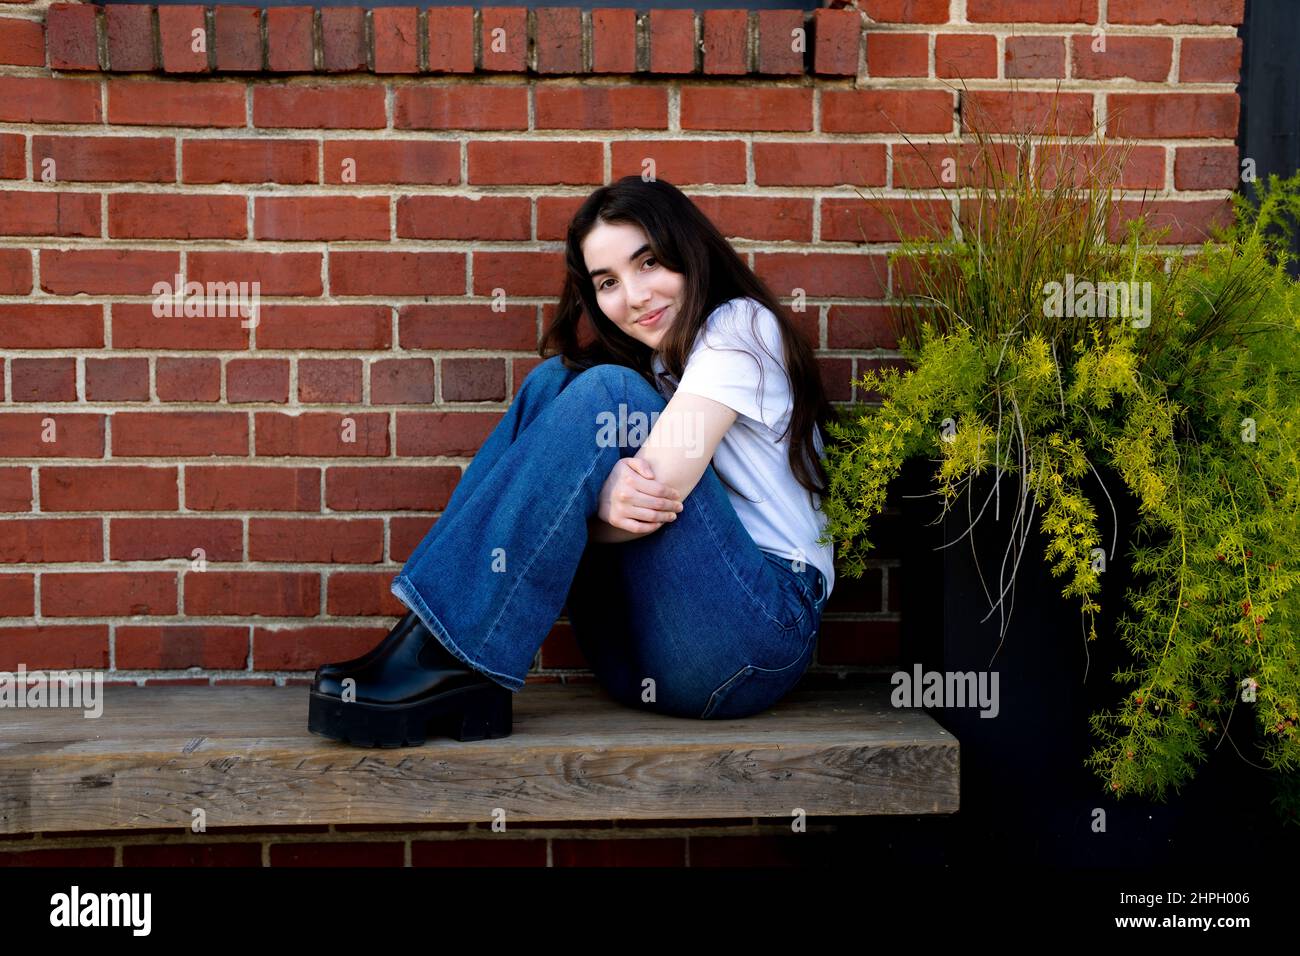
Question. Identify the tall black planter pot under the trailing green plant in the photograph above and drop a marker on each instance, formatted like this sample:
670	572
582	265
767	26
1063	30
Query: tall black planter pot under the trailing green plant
1026	795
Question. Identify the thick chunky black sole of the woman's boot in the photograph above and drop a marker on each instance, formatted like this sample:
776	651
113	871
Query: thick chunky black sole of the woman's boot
470	713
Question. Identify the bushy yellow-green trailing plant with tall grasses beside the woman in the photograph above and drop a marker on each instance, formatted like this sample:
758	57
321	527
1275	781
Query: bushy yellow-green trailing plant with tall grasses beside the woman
1193	401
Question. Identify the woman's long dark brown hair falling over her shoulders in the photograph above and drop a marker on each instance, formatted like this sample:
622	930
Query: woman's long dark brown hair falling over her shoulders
684	241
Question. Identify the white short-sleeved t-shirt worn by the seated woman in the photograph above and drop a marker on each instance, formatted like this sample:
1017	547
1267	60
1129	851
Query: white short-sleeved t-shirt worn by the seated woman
781	514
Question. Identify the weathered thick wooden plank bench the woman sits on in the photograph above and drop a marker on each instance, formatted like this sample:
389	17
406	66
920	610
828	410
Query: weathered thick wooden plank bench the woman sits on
245	758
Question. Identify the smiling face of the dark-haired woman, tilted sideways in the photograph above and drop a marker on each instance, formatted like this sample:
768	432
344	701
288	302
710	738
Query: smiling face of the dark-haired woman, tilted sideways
630	283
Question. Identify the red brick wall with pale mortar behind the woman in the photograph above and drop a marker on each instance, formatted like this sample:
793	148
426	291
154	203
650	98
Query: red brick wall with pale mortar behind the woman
471	155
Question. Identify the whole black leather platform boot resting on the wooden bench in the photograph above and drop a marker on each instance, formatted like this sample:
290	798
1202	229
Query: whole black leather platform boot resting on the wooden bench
409	689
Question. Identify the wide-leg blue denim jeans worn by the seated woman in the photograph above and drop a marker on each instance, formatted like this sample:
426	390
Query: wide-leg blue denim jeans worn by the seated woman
692	620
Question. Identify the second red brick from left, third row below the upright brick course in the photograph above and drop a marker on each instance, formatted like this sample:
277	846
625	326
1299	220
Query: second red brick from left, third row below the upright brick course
171	217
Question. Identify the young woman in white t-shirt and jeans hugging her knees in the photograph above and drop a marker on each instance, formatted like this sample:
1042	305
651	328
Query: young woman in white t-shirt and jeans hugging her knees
660	474
